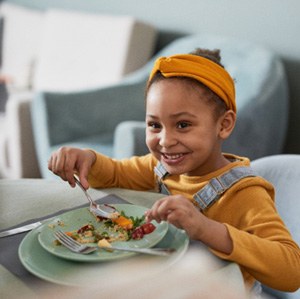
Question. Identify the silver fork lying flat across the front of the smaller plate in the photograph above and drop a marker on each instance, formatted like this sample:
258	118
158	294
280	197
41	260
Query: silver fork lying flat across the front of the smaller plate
75	246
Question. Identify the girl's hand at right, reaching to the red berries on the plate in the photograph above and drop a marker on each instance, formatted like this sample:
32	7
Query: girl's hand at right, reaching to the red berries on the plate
179	211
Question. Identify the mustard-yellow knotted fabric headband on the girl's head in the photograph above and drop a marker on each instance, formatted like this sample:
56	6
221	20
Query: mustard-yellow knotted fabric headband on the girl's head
202	69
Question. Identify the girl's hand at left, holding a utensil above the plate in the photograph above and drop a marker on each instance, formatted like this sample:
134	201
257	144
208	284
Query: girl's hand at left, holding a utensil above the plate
67	161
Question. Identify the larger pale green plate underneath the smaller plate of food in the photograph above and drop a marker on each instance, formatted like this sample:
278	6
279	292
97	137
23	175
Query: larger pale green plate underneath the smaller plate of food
48	267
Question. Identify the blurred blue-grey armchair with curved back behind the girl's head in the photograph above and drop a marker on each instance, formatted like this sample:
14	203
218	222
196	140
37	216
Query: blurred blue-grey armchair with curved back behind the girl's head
98	118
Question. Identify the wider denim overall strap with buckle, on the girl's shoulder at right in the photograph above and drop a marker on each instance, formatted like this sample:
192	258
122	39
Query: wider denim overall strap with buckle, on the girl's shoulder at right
211	192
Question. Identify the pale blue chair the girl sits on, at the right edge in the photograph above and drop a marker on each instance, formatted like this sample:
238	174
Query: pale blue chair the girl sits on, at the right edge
283	171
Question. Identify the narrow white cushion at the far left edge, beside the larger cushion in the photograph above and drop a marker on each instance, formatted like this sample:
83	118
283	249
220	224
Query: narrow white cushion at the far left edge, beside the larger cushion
21	37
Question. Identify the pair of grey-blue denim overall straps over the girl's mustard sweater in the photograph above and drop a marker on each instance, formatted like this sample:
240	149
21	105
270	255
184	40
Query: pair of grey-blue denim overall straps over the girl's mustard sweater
214	189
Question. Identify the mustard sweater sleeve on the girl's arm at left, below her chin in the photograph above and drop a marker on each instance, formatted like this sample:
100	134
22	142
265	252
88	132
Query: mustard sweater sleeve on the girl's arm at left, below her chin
135	173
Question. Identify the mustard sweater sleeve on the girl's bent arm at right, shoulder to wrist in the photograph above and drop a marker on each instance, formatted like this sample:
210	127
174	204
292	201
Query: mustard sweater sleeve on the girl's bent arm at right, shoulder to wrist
262	245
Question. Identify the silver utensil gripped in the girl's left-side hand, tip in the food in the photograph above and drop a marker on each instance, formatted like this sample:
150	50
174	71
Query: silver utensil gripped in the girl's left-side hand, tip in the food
98	210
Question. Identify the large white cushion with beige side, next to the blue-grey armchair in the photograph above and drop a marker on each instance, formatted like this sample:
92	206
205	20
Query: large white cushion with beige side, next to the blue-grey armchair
83	50
